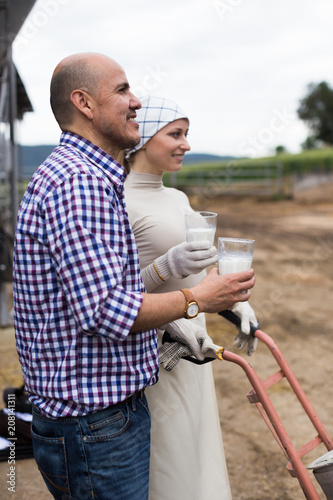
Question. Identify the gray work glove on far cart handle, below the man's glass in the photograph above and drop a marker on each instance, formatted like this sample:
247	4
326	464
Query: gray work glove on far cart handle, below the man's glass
246	314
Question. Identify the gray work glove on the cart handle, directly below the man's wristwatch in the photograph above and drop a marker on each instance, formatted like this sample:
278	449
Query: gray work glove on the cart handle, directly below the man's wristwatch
191	339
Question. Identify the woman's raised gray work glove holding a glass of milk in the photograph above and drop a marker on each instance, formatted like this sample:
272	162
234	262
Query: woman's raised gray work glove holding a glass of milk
179	262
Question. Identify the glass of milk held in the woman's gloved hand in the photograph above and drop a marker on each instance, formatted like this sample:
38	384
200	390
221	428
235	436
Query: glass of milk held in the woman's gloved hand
200	226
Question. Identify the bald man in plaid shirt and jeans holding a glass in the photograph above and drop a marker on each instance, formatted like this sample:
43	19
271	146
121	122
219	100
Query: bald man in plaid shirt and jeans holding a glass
84	324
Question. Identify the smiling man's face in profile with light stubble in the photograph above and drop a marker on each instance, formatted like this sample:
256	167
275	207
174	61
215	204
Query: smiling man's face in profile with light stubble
114	113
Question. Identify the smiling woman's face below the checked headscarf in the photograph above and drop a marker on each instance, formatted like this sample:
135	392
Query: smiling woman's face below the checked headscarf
165	151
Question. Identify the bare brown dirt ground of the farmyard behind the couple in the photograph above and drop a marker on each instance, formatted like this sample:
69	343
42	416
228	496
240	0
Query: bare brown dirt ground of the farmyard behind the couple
293	302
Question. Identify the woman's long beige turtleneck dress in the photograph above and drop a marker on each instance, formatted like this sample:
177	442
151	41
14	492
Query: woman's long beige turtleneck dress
187	456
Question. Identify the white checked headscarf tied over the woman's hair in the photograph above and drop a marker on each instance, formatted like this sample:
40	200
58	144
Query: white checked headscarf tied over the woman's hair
156	113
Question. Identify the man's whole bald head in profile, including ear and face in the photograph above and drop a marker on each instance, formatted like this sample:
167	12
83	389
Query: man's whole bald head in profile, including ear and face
91	97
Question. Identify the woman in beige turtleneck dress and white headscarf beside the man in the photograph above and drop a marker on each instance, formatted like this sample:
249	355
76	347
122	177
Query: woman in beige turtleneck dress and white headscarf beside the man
187	457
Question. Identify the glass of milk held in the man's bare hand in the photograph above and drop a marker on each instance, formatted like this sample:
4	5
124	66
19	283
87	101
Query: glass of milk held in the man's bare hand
235	255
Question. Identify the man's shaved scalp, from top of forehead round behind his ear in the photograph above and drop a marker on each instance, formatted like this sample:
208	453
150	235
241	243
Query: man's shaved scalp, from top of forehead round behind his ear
79	71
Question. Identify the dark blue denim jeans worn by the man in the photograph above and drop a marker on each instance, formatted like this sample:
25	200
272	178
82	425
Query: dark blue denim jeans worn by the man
101	456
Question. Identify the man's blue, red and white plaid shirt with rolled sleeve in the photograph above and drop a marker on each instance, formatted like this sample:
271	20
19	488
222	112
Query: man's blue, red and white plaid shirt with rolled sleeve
77	286
